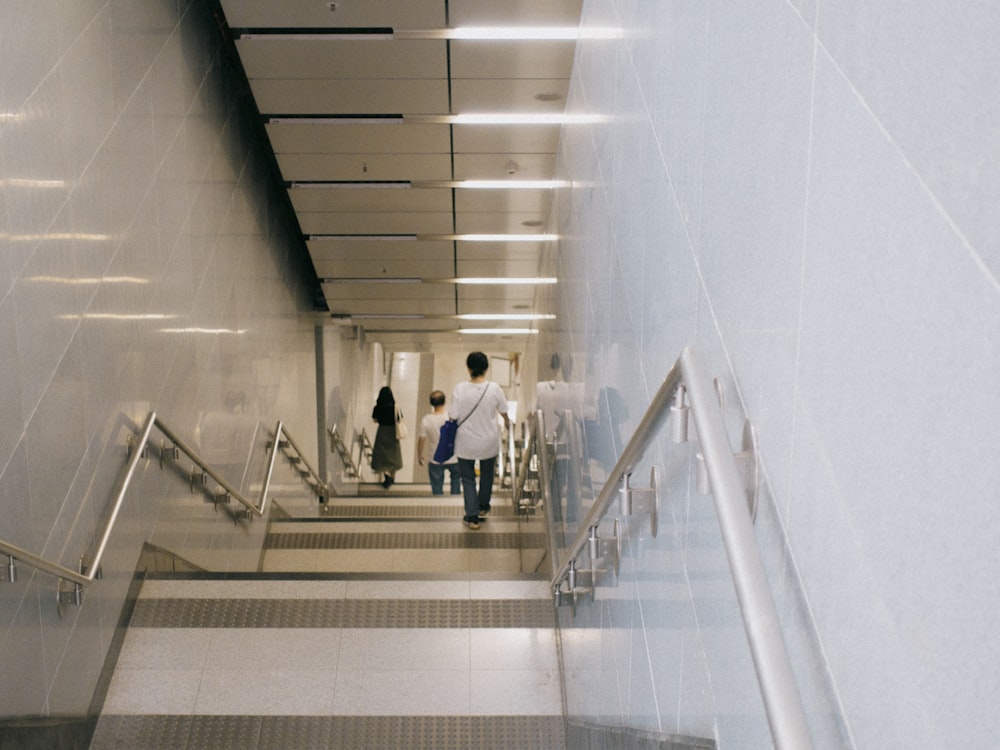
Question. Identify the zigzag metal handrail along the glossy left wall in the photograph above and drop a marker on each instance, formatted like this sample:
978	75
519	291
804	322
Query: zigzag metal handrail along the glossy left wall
90	571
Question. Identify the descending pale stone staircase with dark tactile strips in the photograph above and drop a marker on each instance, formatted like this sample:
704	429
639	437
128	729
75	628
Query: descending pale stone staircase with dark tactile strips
376	621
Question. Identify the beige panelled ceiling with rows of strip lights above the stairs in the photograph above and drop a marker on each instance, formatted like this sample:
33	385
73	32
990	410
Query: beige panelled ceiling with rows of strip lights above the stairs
362	101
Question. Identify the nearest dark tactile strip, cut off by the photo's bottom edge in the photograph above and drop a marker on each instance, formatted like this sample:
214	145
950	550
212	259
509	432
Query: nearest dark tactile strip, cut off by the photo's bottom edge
330	733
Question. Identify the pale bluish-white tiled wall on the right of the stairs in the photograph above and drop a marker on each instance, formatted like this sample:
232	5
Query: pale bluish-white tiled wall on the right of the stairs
807	192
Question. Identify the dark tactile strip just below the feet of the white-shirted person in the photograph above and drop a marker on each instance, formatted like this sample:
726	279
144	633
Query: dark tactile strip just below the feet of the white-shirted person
403	540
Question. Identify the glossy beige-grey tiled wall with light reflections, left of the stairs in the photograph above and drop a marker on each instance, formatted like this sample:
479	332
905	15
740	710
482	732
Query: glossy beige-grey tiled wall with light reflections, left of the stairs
142	268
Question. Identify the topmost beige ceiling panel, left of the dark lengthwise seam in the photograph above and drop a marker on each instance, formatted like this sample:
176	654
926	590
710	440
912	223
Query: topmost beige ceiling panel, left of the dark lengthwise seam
410	14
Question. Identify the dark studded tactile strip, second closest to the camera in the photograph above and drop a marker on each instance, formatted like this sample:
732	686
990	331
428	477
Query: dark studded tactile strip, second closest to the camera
343	613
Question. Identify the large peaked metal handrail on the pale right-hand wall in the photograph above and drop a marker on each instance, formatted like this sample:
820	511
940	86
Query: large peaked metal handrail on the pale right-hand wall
782	702
